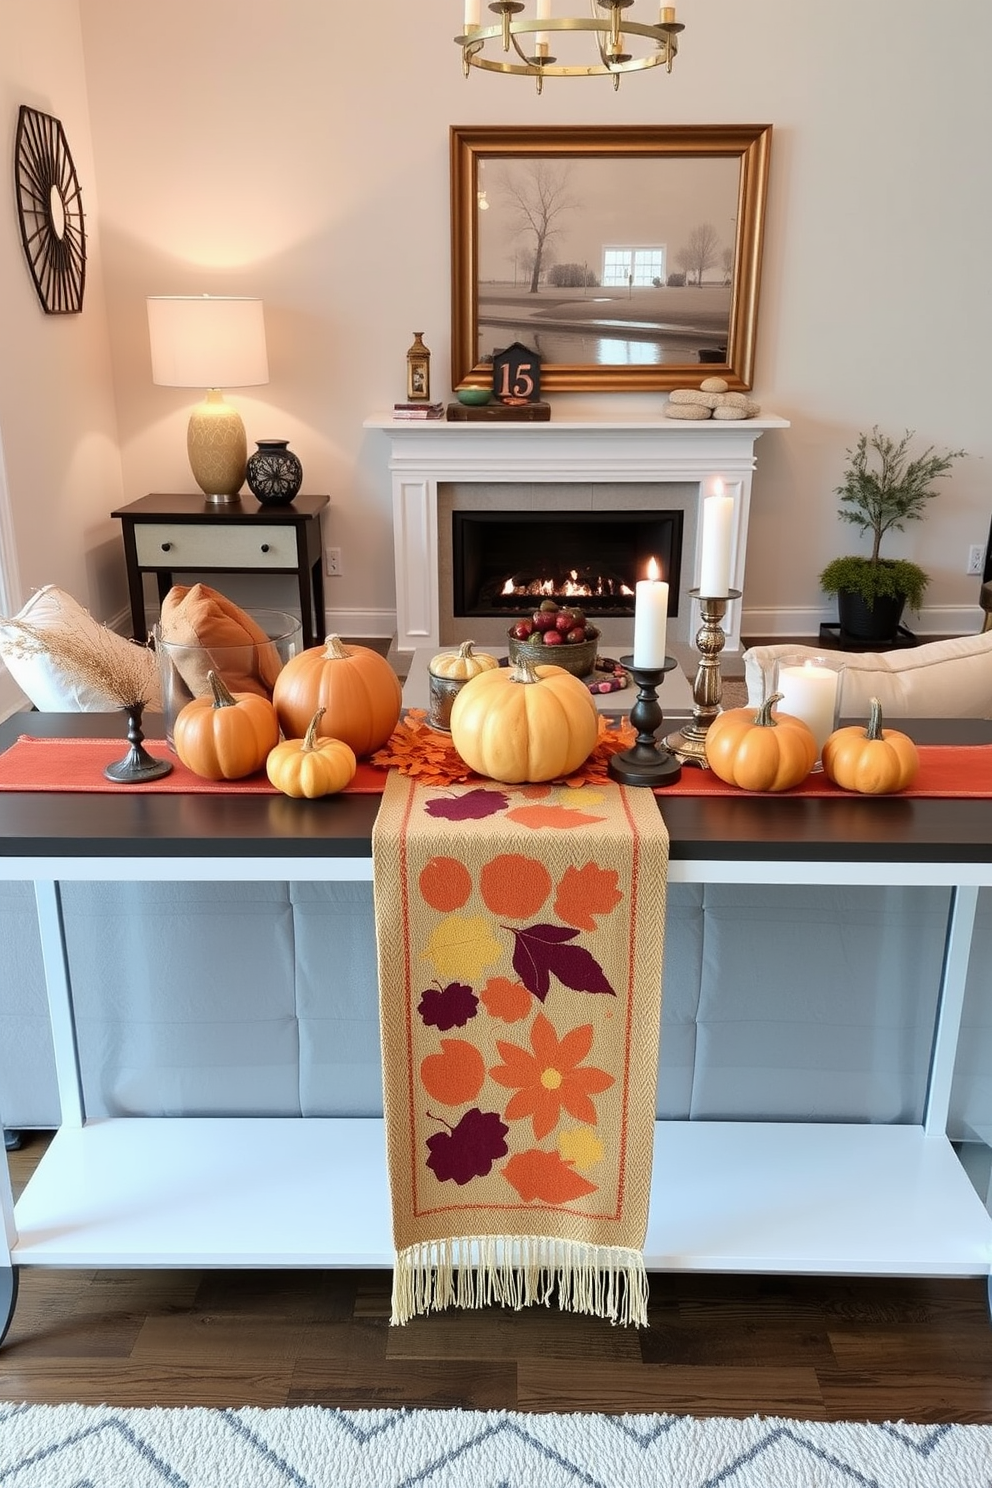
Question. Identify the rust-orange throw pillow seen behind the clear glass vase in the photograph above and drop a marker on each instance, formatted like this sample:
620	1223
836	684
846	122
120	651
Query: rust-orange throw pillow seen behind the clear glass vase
206	632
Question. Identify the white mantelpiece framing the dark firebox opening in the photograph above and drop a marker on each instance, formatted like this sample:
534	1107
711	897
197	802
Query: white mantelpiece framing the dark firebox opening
588	453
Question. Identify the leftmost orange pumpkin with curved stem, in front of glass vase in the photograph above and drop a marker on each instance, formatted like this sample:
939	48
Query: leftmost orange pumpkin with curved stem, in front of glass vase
228	734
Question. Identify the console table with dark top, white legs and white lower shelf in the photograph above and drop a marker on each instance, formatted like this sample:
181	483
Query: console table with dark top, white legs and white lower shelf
761	1197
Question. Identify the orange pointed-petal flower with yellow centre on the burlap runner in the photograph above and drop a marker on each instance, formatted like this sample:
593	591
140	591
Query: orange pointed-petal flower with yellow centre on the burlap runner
553	1078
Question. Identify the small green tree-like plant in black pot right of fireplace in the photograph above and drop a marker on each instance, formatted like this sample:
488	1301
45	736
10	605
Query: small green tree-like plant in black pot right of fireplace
883	490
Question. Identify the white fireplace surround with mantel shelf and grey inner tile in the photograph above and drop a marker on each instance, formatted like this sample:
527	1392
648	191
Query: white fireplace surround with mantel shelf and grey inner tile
608	469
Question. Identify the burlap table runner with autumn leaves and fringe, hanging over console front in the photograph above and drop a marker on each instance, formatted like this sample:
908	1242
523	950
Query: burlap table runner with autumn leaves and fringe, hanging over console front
520	938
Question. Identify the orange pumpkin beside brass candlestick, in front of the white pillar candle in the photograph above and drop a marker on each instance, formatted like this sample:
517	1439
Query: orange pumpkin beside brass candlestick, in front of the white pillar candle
762	751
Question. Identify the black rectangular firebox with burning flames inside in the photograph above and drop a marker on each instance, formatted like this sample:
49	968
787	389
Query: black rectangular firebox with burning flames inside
506	563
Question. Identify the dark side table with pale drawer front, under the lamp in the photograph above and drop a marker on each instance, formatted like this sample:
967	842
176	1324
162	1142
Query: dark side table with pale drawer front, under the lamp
169	535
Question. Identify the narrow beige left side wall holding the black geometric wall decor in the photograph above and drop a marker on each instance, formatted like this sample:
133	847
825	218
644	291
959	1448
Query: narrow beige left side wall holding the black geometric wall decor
59	432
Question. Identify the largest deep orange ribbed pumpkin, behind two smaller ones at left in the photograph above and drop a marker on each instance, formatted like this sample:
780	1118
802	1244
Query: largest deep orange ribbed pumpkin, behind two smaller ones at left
358	690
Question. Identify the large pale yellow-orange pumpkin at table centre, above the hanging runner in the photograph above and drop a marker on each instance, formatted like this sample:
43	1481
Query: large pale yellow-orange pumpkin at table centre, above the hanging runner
524	724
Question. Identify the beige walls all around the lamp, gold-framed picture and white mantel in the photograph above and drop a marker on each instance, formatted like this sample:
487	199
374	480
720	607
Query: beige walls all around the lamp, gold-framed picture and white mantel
300	151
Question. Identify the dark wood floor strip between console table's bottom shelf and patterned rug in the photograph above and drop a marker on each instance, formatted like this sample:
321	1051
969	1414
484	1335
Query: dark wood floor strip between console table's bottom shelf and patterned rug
799	1347
